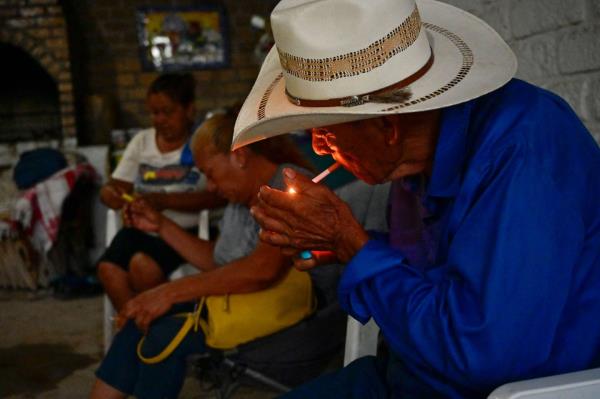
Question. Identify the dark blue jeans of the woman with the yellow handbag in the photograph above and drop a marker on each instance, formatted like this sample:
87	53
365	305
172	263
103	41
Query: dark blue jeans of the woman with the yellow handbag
123	370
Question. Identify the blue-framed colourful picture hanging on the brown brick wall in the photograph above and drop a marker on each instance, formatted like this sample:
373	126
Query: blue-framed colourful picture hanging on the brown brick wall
183	38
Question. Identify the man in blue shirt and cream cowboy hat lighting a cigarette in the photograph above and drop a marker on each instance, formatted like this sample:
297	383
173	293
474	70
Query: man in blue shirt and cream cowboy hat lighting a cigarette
490	272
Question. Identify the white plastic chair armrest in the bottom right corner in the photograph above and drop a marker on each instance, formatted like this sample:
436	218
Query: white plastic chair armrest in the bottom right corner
581	385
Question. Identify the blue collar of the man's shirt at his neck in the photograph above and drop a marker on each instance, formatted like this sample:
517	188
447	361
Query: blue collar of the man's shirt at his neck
451	151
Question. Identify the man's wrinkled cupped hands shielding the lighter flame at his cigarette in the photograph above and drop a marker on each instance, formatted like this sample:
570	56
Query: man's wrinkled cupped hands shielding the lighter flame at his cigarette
313	218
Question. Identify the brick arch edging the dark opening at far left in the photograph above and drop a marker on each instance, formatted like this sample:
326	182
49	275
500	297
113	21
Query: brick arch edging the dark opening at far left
38	28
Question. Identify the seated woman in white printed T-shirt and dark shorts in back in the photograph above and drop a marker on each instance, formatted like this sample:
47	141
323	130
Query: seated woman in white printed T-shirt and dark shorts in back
153	166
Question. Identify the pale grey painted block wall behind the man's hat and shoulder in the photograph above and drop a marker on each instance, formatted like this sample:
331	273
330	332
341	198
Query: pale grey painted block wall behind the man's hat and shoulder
557	43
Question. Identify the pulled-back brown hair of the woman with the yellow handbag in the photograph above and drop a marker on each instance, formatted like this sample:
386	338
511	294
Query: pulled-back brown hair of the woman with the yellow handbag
218	131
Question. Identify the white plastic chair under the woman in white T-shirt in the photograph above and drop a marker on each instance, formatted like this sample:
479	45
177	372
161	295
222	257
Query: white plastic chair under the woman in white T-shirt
113	224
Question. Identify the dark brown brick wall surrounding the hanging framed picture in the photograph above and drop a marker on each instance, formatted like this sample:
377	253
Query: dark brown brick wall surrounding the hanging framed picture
110	83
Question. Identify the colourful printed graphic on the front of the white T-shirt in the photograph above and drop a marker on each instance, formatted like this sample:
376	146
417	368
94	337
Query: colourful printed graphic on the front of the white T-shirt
169	178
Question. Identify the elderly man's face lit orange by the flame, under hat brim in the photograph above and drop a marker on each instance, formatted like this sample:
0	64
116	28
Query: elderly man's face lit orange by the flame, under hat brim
359	146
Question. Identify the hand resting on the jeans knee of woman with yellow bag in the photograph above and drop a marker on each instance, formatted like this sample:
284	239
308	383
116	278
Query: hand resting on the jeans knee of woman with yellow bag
147	306
